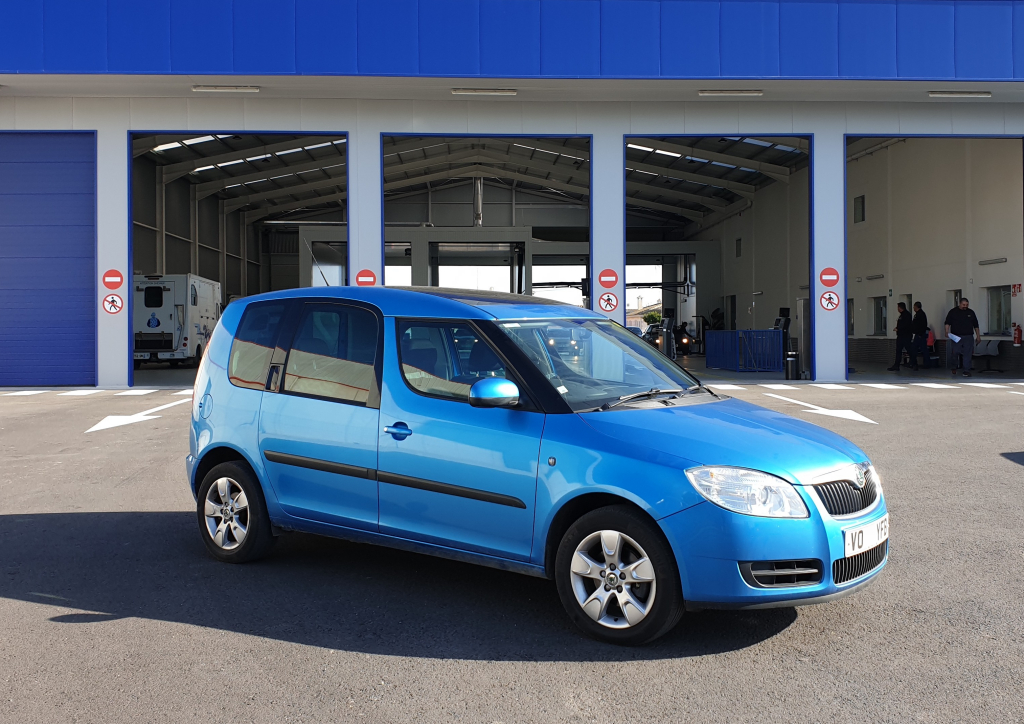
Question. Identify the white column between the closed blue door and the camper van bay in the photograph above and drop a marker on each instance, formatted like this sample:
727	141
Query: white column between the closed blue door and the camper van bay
110	117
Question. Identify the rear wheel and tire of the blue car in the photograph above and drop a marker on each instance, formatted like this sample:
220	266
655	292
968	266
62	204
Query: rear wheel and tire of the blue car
240	533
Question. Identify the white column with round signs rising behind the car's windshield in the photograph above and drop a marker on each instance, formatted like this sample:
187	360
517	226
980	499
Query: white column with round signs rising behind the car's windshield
609	123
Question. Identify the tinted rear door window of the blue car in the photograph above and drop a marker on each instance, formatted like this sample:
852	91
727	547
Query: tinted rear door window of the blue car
333	354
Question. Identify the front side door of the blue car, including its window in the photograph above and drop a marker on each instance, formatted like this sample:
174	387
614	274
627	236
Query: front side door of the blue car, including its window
450	474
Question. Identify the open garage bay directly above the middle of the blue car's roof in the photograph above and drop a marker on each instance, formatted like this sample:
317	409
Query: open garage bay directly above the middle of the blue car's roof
505	215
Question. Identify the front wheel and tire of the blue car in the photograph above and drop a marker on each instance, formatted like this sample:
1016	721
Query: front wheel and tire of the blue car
649	610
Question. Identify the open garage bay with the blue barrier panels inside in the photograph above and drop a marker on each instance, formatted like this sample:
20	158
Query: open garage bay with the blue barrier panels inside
717	249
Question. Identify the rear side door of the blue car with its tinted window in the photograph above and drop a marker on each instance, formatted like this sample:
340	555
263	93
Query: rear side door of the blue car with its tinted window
319	423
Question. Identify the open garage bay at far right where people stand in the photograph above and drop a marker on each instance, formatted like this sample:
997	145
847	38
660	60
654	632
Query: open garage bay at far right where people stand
932	223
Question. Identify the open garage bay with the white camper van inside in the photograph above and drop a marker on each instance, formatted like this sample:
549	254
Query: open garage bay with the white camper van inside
218	217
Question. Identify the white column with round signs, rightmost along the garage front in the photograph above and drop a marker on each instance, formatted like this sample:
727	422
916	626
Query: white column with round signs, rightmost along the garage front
829	242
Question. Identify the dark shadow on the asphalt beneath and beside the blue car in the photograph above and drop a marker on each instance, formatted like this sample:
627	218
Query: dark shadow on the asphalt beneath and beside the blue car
320	592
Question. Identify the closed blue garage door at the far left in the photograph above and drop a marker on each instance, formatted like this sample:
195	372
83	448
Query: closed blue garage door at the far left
48	260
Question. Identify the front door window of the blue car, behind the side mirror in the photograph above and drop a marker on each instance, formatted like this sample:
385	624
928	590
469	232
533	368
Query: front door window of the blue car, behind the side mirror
445	360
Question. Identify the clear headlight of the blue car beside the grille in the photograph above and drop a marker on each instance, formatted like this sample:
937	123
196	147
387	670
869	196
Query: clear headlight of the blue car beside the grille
748	492
